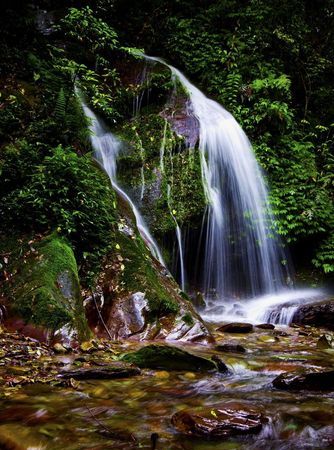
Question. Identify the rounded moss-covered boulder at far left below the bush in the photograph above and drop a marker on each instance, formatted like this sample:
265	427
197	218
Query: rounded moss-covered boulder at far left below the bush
44	289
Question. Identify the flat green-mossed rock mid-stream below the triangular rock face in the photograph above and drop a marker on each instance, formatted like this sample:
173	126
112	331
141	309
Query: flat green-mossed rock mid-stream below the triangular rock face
166	357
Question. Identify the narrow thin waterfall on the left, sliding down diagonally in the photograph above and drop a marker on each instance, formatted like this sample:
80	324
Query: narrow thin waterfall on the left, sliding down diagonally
107	148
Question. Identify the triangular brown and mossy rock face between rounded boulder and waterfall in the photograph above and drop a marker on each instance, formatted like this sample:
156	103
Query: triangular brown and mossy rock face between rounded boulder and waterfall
139	299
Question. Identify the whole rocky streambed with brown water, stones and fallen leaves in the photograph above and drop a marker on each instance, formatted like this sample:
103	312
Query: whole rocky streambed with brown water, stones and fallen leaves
254	388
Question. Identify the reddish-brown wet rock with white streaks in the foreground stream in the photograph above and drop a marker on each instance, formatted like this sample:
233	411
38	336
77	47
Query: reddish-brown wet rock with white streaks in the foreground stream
228	420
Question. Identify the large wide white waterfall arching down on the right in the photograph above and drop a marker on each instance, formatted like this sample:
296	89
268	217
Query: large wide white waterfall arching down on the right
243	254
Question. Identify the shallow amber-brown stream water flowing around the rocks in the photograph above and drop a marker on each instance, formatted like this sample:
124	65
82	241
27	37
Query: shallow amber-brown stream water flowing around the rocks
124	413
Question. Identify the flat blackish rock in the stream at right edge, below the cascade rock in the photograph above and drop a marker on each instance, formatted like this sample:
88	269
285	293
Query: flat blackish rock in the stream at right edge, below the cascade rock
313	381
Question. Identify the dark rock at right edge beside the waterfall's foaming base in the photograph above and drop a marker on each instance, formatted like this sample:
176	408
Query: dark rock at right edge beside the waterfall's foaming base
320	314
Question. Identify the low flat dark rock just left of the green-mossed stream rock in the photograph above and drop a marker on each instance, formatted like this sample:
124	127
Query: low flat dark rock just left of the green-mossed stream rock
115	369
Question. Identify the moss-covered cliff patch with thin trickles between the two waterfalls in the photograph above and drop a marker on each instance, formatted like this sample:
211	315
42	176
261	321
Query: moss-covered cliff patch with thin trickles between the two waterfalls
180	174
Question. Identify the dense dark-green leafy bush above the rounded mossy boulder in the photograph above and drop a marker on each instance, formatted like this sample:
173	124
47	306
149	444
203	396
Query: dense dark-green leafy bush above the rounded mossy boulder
63	191
